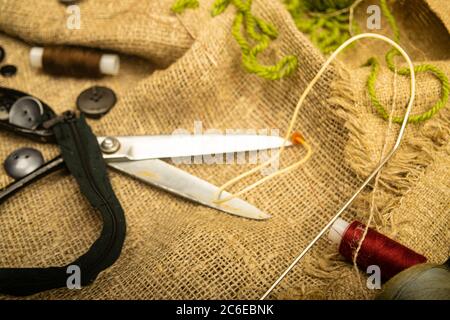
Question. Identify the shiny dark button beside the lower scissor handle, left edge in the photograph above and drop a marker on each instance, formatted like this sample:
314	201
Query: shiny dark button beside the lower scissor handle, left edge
23	162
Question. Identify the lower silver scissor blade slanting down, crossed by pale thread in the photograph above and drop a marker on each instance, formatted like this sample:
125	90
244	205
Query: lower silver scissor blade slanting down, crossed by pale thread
163	175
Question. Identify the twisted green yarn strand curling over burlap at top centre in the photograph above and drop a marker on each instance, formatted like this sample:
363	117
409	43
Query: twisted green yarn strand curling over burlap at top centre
253	35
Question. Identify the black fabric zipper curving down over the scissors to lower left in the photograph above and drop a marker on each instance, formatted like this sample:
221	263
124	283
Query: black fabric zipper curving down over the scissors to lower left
84	160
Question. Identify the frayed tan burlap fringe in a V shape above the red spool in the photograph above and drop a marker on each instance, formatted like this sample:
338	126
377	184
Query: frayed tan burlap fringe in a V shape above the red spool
400	174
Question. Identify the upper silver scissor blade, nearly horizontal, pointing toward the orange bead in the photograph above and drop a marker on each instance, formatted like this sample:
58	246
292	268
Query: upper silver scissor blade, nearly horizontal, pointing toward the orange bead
184	145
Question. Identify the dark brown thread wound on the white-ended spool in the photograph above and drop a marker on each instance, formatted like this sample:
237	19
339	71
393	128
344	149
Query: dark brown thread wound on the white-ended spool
71	61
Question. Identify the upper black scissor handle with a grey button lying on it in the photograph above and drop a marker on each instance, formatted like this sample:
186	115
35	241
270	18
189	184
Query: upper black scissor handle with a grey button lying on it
7	98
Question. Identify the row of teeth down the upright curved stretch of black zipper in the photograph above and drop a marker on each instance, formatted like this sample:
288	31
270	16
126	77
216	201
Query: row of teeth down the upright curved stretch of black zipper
93	185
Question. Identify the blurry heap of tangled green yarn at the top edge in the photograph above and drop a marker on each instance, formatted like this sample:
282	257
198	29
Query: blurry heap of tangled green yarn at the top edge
323	21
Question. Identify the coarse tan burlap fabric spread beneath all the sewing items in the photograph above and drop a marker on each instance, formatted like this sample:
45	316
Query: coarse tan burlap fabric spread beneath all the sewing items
178	69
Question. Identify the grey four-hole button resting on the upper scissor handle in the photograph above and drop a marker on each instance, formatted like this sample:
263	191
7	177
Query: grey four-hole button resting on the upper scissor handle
26	113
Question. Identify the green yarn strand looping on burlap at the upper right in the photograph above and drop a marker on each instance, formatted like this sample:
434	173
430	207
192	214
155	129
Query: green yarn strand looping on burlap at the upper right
390	56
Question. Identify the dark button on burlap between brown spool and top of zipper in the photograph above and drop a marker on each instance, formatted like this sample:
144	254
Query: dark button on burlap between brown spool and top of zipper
96	101
